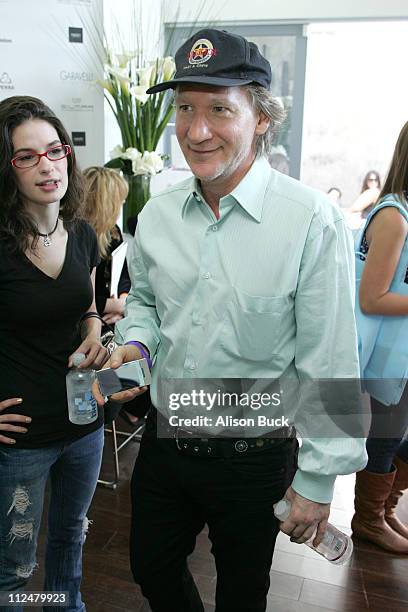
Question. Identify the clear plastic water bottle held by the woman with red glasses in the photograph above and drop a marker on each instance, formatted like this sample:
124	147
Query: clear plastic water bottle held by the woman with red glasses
82	406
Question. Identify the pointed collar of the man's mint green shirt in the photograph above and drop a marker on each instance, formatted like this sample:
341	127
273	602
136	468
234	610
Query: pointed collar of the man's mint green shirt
249	193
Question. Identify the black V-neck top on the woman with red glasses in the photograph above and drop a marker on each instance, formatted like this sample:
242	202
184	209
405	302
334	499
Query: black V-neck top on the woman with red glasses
39	319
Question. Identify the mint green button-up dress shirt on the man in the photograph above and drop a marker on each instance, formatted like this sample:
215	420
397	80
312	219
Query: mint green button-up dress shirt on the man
264	292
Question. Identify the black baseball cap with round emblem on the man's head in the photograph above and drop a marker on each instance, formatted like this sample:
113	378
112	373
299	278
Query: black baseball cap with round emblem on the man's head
217	57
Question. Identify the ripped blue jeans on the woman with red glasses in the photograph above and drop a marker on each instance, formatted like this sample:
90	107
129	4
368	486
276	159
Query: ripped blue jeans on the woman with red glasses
73	470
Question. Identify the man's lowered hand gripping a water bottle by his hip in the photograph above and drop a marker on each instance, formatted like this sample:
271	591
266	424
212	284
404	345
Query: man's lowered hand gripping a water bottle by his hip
305	518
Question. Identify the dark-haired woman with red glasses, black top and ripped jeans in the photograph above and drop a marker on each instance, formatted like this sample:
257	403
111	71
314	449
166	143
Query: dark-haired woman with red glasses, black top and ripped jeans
48	257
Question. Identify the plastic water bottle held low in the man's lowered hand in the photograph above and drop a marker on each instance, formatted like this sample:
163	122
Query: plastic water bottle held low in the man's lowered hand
336	546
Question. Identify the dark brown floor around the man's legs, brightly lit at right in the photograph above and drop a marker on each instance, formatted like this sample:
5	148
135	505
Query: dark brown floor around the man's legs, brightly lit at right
301	581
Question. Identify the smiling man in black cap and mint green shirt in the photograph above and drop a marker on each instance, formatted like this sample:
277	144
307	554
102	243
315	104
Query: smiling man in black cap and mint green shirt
239	273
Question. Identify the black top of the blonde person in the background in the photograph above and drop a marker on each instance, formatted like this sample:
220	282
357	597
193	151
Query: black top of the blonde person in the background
103	274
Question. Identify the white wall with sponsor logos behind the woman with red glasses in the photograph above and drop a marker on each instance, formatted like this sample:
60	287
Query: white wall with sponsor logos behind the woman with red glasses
37	58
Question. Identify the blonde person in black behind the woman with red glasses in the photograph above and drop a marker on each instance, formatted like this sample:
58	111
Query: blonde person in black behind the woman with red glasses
105	192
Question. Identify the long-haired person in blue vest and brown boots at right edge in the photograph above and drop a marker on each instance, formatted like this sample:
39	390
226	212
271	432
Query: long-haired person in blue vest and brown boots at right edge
383	248
